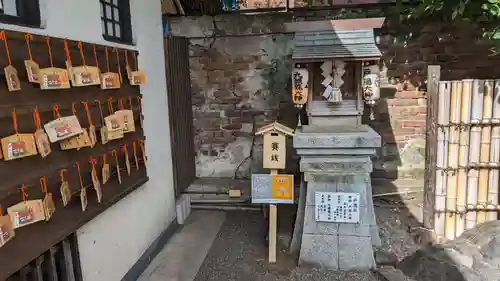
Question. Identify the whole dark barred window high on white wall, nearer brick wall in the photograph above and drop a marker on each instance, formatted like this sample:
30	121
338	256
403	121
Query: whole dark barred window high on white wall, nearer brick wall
115	21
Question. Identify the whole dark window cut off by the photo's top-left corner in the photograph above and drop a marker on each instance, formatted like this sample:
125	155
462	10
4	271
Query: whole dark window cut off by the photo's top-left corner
20	12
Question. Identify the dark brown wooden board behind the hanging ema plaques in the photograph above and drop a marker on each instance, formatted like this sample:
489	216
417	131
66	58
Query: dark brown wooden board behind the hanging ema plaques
31	241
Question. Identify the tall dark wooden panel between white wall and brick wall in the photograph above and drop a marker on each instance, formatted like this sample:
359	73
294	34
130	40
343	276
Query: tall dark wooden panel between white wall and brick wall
180	111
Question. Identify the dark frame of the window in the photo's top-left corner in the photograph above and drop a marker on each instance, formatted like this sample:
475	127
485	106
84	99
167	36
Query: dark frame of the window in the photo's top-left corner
29	14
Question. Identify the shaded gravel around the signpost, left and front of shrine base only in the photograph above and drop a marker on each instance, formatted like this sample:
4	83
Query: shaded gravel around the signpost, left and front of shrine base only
239	252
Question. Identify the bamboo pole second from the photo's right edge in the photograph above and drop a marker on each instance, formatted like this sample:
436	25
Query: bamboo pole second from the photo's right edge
484	154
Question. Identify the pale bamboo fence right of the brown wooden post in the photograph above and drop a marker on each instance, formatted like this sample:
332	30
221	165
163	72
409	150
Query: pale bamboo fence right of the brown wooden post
467	161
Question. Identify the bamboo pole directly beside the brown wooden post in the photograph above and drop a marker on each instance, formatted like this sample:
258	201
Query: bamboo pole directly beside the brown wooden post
443	120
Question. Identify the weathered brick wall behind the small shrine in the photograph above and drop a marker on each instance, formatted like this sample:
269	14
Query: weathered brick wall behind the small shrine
240	69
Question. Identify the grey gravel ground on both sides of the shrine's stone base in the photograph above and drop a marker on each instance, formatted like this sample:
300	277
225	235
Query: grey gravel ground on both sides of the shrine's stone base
239	251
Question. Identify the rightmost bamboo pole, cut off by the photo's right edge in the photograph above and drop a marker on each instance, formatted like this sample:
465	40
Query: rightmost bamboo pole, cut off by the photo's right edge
494	174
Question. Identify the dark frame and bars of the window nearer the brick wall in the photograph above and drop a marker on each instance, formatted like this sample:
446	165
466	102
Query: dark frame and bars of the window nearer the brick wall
124	21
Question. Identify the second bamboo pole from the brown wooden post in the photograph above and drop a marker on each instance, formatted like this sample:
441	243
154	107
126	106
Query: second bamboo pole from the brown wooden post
453	147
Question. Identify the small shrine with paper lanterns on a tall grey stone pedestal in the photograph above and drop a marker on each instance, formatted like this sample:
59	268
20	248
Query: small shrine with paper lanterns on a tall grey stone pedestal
336	70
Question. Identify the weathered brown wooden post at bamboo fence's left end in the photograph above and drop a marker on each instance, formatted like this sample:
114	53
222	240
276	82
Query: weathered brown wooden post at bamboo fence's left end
433	74
